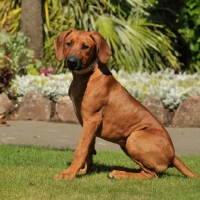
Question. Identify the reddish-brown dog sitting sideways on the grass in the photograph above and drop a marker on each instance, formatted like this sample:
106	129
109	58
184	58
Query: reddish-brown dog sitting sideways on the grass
106	110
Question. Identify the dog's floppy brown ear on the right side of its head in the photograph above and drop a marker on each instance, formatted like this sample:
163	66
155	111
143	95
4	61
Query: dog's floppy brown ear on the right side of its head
103	50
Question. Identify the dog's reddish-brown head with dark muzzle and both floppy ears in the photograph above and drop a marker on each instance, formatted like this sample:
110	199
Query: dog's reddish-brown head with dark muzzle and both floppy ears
81	48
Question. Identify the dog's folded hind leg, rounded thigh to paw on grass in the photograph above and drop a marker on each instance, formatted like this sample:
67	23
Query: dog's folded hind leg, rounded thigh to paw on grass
151	151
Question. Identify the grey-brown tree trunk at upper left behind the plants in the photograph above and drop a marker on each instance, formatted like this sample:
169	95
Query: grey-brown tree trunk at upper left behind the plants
32	24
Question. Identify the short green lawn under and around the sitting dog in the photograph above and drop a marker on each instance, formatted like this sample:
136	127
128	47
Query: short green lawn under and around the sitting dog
26	173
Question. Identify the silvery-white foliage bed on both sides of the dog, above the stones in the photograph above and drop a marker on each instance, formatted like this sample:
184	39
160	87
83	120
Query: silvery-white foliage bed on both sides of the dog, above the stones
171	88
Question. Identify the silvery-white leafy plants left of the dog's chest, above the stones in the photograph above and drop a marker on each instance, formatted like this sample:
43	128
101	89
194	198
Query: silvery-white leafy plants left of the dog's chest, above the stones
51	86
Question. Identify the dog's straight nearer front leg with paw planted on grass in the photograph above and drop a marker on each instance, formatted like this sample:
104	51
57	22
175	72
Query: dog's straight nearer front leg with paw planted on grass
82	150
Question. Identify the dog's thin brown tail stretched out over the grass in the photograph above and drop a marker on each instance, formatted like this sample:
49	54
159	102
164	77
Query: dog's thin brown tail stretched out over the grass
183	168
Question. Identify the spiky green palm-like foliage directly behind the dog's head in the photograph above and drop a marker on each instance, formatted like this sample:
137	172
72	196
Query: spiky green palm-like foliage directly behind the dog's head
137	44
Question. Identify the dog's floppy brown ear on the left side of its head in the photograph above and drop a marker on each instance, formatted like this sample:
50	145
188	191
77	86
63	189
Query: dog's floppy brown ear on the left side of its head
58	44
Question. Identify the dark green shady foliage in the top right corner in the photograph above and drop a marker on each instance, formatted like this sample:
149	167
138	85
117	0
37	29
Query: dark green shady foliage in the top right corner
183	19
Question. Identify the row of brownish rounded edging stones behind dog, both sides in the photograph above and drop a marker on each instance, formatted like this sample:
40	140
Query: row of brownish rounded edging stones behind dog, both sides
35	106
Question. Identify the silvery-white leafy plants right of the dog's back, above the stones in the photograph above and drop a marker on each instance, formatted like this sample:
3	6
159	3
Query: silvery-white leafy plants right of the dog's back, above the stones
170	87
